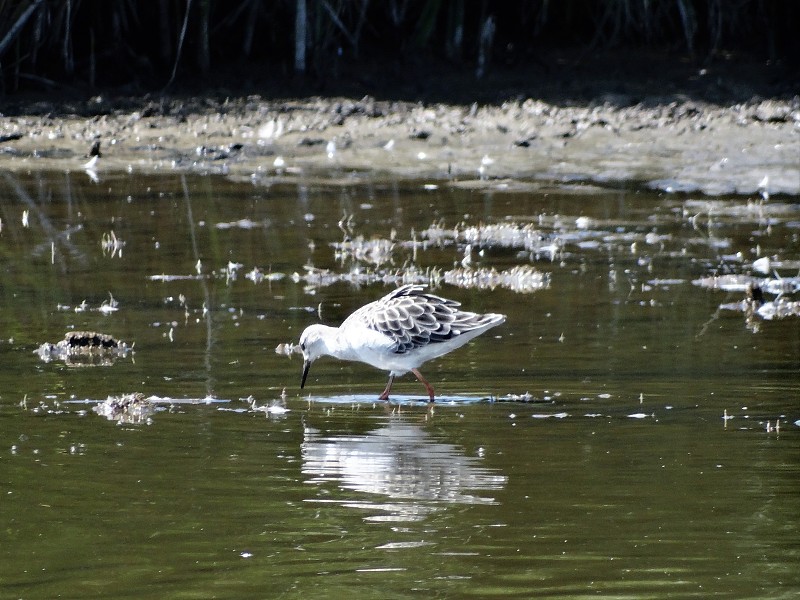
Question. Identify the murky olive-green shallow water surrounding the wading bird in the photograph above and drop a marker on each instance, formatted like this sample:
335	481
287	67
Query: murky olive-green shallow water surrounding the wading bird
622	435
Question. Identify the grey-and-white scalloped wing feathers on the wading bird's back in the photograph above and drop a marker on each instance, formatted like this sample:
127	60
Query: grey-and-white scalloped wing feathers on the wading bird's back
413	319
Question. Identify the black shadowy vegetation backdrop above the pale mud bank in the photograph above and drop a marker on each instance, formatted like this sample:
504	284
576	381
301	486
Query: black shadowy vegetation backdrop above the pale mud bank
56	56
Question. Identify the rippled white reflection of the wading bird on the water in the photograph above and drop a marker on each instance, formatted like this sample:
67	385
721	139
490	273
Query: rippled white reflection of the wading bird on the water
402	462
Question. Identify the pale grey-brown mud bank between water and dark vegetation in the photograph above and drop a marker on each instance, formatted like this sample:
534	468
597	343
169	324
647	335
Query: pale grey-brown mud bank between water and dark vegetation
670	144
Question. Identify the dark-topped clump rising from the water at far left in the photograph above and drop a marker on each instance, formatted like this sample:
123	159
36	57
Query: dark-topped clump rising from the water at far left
85	349
